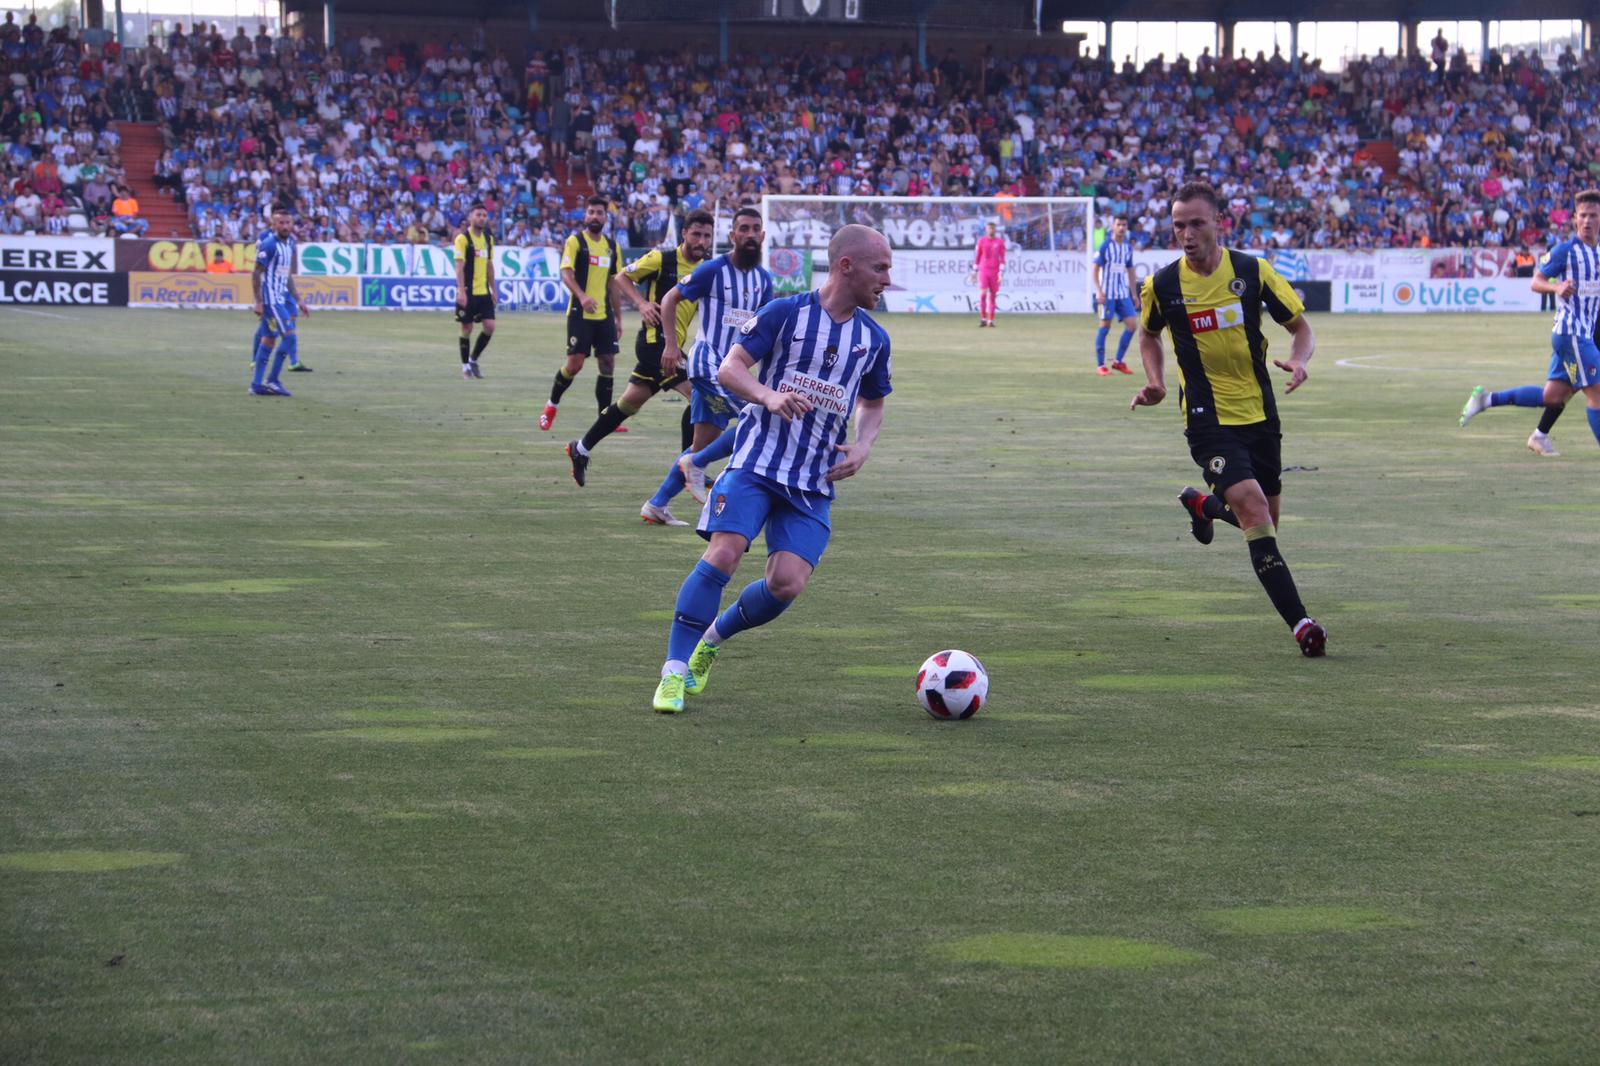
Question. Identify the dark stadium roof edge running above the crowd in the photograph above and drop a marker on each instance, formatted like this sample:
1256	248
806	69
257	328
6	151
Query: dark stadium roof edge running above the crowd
999	17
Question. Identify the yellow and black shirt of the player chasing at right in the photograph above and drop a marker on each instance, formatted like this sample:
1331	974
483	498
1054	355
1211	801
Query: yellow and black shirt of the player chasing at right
1217	335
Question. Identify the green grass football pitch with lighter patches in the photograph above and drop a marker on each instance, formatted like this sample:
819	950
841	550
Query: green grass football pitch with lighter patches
326	724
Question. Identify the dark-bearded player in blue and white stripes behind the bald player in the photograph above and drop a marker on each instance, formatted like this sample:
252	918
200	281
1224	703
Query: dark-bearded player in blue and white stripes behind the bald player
730	289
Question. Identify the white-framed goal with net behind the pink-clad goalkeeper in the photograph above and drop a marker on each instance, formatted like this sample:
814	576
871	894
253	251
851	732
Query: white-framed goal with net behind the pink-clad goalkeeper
1049	249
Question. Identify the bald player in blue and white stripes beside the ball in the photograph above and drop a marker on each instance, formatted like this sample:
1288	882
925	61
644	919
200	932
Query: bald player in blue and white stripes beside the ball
822	358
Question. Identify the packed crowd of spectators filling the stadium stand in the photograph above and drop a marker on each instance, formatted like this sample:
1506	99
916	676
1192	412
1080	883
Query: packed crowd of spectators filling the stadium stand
393	142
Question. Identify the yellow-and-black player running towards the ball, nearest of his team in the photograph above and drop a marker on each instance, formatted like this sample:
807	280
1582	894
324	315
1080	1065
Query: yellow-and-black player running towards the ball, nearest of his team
1212	303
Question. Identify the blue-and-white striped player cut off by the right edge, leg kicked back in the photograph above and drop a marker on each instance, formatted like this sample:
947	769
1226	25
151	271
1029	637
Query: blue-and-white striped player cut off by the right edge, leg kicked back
1570	273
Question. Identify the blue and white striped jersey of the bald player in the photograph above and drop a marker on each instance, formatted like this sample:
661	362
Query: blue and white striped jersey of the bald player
802	350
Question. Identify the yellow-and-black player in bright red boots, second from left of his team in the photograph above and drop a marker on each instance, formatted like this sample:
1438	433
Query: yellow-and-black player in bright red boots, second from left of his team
594	321
